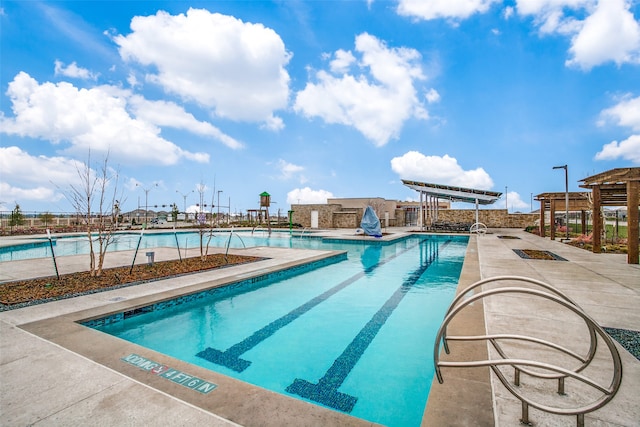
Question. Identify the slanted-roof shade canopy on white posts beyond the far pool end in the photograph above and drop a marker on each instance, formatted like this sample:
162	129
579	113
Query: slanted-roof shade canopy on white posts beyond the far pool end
455	194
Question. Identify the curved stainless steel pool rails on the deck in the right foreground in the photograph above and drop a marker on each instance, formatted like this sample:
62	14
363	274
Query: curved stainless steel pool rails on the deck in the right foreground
542	369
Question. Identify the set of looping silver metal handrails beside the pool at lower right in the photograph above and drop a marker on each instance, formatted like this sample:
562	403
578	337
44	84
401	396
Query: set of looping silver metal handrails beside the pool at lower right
552	371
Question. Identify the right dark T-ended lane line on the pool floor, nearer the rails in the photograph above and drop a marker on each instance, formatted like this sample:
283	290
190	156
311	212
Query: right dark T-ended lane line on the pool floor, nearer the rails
326	390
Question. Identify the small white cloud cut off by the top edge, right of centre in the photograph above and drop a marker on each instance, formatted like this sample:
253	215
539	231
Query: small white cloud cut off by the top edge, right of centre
435	9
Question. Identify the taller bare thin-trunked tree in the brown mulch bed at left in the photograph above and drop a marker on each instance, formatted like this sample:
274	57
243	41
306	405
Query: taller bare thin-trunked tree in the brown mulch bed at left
96	189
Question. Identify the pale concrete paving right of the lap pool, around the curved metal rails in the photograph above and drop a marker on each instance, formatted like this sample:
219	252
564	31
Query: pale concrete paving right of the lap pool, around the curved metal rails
603	285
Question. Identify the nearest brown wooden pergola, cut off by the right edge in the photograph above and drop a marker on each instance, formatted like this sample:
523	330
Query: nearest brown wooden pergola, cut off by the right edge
616	187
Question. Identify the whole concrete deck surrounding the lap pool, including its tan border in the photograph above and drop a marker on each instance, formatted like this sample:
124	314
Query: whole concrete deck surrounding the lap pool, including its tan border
55	372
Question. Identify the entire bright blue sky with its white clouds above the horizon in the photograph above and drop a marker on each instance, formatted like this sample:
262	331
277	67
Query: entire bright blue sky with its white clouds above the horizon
314	99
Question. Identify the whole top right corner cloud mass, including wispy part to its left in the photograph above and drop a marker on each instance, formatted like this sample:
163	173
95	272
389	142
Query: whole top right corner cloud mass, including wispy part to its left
609	32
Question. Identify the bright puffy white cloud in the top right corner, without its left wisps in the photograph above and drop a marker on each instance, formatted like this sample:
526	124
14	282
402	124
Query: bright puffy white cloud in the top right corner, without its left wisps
609	34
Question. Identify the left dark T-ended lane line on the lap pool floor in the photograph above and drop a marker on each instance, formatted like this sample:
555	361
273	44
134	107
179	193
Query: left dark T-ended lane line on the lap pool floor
230	358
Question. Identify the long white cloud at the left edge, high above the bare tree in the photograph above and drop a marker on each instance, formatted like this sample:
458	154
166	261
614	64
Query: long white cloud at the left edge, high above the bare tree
95	119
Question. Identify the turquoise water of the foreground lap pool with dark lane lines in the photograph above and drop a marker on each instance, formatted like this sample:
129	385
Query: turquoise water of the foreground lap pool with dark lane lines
355	335
